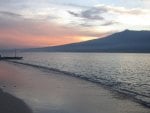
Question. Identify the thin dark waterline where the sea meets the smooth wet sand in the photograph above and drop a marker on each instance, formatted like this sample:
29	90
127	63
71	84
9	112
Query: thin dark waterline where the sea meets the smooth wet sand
107	87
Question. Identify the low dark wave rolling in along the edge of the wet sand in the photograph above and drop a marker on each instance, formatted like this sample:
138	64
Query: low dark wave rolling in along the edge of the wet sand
140	98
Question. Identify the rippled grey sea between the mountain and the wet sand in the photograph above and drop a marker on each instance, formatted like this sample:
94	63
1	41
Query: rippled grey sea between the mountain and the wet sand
127	73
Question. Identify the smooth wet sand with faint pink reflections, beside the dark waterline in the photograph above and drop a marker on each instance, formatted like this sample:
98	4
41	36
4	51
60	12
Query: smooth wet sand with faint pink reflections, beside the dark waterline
52	92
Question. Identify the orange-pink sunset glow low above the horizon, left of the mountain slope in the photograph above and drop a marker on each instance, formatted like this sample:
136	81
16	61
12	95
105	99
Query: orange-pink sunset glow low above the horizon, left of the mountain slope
13	37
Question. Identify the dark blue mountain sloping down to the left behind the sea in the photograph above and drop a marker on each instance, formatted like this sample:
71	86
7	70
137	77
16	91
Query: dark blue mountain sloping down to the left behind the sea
126	41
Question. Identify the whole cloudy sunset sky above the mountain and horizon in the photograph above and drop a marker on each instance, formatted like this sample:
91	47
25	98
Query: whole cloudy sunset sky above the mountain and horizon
40	23
